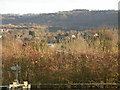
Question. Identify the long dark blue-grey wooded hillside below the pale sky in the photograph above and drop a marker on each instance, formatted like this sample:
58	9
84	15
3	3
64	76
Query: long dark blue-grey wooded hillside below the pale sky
76	19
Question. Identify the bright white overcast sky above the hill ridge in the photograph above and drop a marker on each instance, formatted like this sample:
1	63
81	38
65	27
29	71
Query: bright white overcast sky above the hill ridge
50	6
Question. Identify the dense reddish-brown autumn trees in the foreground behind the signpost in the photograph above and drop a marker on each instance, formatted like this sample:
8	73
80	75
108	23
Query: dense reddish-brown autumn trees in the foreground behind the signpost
81	61
